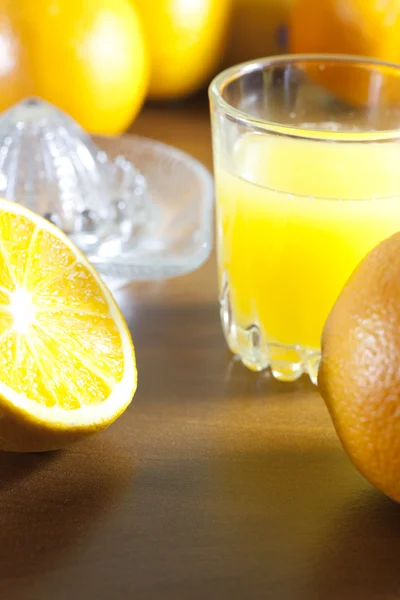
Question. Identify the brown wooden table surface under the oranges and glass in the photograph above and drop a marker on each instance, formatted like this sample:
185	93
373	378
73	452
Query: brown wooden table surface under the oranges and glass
215	484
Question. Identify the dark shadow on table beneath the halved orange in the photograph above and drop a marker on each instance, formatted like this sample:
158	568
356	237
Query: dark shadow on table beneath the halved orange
49	504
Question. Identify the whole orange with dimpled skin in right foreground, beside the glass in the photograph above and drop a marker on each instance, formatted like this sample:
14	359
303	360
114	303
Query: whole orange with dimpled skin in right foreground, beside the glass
359	376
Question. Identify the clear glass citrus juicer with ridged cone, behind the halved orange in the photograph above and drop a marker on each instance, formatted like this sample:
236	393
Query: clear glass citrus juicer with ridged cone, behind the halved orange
138	208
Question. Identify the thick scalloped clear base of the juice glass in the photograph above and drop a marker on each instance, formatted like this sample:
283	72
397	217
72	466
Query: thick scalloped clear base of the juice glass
286	363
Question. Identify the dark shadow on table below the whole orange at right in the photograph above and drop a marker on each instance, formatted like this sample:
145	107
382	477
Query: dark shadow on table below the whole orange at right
360	555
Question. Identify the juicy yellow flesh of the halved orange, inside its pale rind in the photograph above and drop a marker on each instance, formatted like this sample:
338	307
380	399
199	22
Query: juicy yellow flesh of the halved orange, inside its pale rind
57	336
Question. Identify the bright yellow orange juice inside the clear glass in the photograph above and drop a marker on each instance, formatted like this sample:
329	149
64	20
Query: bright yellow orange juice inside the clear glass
295	217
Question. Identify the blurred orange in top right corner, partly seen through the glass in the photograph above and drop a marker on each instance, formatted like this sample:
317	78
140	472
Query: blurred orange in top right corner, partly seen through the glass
354	27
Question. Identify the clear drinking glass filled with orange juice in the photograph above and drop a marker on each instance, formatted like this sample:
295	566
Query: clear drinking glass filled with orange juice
307	173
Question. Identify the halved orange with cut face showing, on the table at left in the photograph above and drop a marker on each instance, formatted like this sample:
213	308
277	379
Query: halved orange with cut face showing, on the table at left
67	362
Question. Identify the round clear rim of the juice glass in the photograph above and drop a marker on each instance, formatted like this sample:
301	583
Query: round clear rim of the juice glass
230	74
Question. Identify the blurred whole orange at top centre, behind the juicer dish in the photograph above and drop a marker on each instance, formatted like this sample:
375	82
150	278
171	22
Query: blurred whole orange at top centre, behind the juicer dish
186	40
